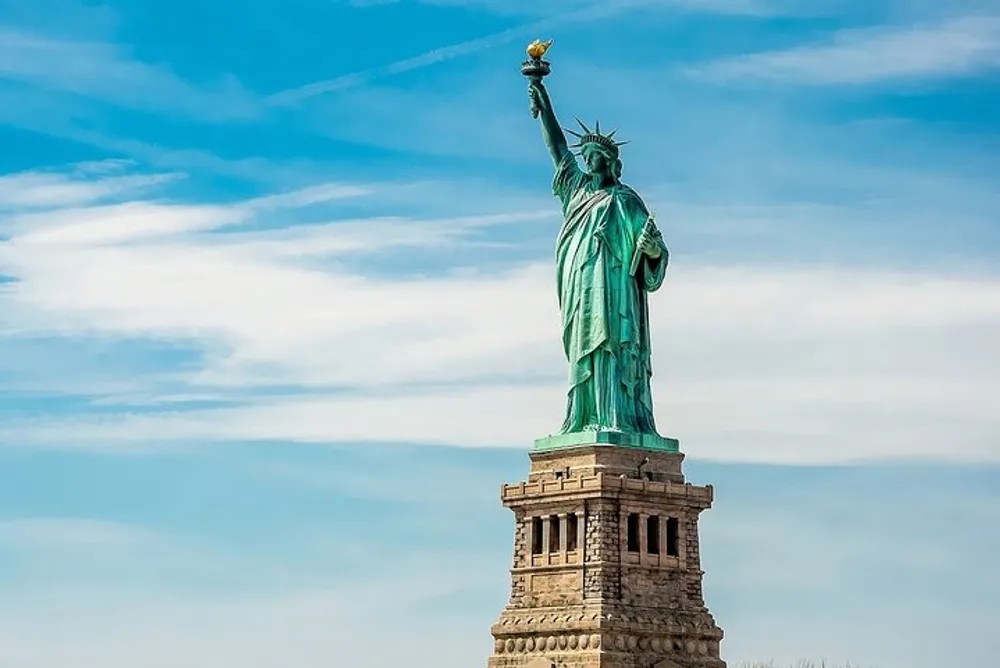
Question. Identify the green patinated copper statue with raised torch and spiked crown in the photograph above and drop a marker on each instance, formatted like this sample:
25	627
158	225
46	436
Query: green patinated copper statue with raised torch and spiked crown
609	257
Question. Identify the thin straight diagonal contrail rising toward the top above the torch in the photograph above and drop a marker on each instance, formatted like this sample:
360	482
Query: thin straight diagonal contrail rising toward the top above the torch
293	95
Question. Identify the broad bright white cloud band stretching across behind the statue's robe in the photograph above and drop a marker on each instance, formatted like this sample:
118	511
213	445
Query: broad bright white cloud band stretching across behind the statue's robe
762	364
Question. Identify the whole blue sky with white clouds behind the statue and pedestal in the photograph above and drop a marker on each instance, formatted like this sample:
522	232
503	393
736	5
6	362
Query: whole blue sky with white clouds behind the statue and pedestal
277	318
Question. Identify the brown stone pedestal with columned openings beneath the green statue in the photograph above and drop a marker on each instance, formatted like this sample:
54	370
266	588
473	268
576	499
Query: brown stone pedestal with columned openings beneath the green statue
607	572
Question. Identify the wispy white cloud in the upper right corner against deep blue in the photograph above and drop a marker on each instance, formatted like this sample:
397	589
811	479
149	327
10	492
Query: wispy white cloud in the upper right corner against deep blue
959	46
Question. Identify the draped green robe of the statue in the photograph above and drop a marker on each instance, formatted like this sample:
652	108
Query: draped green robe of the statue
605	317
